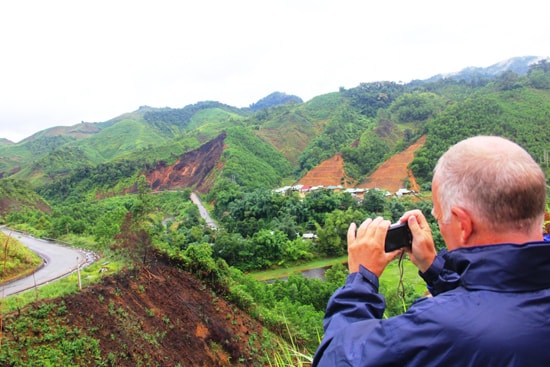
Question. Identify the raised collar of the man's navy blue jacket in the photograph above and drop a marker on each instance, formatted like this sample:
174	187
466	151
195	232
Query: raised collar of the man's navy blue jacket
502	267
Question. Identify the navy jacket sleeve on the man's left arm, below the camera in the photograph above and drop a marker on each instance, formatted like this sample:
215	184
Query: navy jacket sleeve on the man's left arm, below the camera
358	300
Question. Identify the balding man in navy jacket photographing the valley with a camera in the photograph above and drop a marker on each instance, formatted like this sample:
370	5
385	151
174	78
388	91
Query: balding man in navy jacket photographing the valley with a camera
491	289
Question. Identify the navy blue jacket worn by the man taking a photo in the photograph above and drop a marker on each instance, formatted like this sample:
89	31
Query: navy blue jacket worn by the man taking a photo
491	307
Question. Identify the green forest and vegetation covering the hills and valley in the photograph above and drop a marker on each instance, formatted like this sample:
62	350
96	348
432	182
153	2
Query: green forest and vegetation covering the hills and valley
99	198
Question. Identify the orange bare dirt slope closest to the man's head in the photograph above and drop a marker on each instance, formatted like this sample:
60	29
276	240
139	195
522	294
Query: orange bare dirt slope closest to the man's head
392	173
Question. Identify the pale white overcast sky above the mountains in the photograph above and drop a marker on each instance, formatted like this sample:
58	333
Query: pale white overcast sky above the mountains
63	62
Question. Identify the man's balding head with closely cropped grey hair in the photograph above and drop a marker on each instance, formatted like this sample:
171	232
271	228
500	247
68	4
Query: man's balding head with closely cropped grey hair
492	180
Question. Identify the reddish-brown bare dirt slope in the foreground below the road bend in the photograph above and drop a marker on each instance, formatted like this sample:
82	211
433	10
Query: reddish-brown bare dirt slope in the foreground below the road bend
162	316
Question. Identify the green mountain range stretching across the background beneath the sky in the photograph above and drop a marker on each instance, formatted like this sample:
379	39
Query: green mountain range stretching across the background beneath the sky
278	139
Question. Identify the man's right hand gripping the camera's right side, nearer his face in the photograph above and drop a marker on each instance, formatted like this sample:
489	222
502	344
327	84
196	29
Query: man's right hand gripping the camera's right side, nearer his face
422	252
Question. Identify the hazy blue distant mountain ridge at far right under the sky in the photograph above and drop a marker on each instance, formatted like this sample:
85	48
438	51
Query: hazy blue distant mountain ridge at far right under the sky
519	65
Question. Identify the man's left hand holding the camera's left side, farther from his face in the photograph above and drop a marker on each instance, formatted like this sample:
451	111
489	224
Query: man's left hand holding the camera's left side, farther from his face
366	246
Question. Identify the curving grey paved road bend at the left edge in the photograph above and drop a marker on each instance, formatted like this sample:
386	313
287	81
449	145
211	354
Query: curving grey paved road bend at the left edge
59	261
